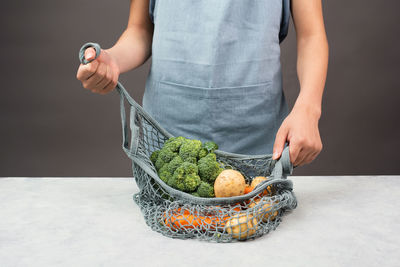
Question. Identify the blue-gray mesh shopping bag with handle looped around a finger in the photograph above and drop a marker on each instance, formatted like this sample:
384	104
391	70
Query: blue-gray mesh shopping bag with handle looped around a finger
177	214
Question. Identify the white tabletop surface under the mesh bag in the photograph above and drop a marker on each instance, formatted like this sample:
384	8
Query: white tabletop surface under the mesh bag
339	221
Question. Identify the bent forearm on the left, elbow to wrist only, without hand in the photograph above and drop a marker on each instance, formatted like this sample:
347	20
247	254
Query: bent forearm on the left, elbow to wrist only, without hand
133	48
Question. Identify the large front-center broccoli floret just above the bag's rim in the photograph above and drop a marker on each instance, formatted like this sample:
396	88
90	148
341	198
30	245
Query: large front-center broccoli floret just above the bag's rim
185	177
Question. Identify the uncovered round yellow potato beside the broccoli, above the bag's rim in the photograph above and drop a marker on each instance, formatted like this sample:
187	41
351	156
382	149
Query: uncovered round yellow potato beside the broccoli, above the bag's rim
229	183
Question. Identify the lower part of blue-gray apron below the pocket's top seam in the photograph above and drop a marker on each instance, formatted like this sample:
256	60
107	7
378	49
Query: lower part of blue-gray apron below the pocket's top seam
239	119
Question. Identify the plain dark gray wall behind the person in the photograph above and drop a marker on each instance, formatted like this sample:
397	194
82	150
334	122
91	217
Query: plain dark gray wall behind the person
51	126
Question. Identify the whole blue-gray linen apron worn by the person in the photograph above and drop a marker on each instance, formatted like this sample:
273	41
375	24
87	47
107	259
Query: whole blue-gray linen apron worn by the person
216	72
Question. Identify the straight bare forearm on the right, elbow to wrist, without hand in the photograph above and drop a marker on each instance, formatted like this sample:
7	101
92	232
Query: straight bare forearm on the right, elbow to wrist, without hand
312	65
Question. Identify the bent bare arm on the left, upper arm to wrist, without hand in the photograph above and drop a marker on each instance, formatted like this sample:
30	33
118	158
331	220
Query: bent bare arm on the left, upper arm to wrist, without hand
133	48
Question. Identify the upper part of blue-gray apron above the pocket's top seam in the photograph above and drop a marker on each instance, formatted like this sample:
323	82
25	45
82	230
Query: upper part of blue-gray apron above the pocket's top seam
214	44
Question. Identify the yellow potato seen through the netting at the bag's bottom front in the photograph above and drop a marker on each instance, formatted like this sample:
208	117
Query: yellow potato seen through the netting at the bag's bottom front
241	226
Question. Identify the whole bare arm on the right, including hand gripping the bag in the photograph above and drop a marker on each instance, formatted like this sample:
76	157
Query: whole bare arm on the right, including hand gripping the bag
300	128
